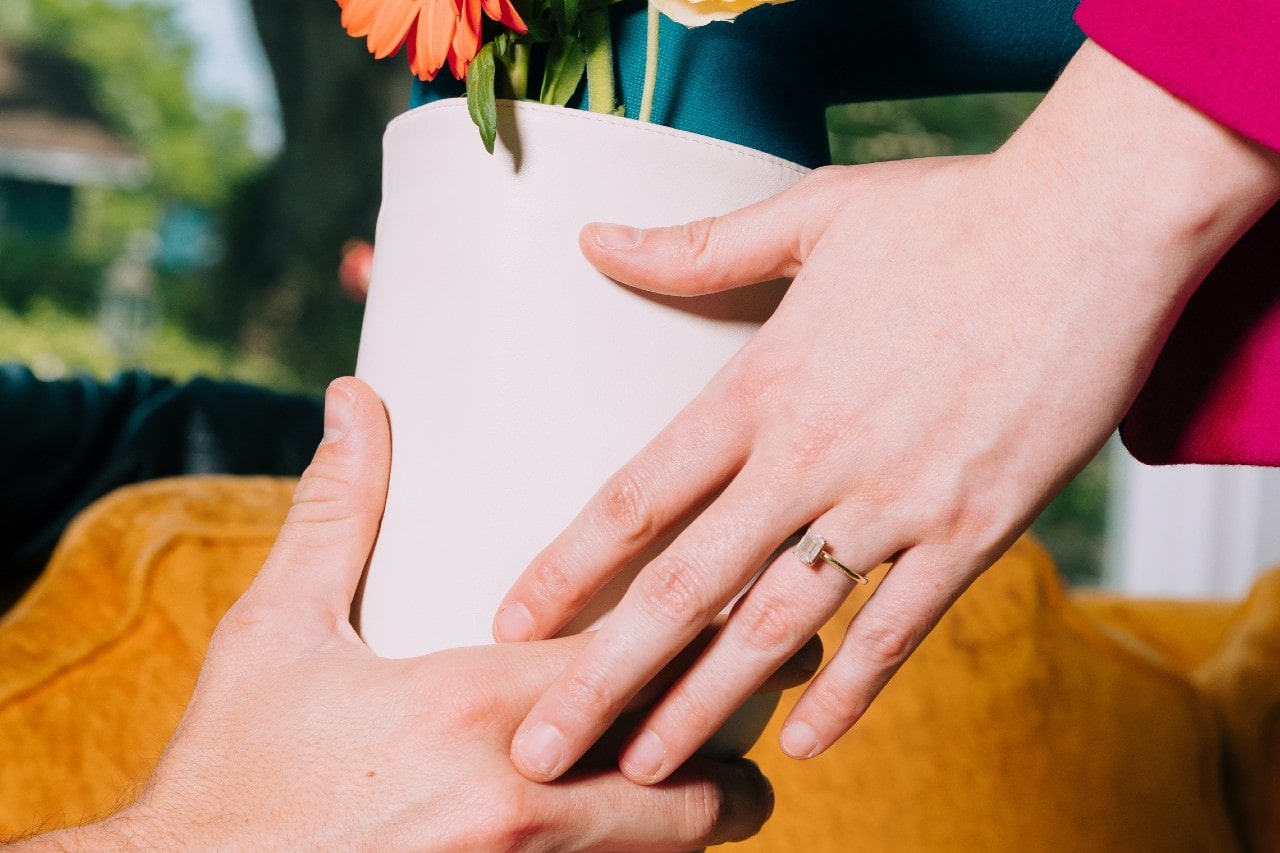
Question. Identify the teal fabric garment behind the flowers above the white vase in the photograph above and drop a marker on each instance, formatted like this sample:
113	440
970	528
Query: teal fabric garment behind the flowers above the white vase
767	80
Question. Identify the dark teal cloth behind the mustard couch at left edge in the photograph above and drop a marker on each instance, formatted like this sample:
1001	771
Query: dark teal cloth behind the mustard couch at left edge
71	441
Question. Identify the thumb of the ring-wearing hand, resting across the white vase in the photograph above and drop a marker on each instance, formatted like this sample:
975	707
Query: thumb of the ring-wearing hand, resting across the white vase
765	241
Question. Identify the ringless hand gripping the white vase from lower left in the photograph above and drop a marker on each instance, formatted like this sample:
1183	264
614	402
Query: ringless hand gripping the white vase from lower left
298	737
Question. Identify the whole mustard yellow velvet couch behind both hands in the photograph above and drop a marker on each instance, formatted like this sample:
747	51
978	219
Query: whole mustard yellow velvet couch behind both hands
1032	719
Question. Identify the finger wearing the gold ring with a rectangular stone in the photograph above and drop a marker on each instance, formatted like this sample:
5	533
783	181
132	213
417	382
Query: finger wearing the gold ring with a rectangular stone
789	603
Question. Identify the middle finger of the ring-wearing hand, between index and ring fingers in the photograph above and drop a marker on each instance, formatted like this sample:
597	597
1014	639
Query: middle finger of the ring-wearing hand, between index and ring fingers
668	605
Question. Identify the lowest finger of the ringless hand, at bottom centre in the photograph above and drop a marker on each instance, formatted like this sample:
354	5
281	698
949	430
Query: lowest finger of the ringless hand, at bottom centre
705	804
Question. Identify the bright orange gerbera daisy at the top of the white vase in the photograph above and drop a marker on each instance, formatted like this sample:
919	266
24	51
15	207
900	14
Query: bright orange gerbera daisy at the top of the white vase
436	31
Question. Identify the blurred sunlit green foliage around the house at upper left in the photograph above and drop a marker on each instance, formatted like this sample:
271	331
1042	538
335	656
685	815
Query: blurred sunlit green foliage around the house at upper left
138	65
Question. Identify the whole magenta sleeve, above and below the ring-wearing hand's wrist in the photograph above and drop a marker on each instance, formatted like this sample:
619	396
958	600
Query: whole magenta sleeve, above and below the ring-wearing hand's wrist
1214	395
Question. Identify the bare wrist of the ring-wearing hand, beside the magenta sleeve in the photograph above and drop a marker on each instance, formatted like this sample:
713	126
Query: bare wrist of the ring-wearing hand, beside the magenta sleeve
1160	184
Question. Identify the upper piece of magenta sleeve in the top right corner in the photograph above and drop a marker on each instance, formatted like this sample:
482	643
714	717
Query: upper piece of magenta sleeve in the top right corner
1222	57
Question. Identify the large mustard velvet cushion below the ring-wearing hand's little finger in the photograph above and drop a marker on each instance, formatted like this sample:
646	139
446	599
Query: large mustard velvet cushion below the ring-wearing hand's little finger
1018	726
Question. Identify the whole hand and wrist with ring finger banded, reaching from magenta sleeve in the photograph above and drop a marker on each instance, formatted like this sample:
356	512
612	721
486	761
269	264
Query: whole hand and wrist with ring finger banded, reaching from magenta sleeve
961	339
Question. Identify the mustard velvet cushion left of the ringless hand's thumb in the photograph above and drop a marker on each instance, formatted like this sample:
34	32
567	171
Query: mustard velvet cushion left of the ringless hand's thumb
98	660
